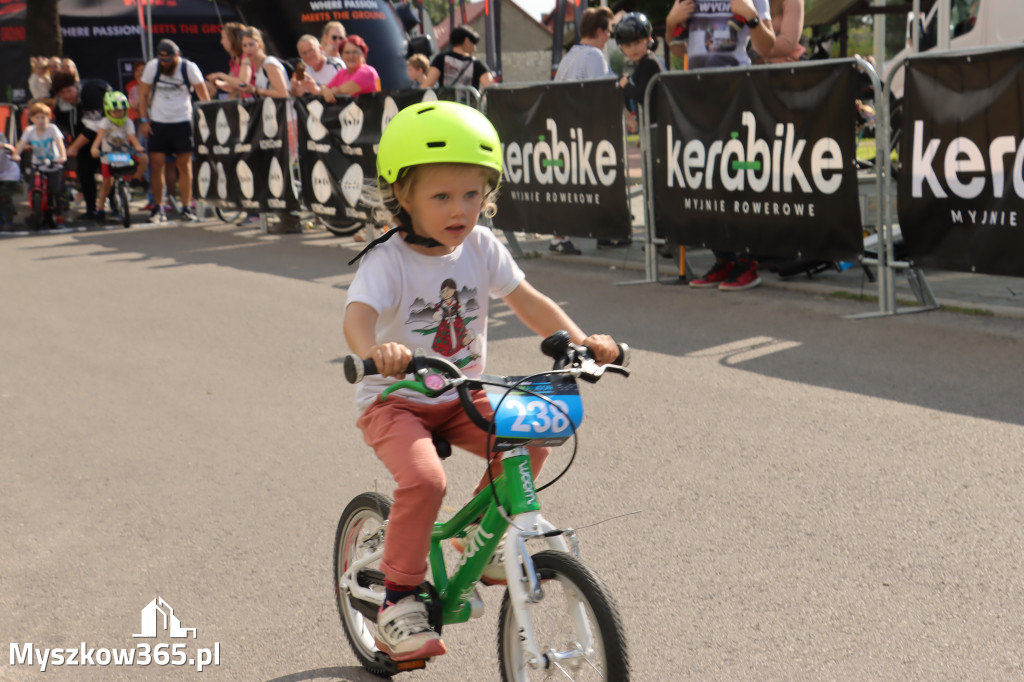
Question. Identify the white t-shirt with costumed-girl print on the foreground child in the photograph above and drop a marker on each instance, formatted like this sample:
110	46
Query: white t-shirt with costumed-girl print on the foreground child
439	304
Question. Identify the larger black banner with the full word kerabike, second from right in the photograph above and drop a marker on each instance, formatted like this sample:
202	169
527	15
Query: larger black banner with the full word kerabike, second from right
761	161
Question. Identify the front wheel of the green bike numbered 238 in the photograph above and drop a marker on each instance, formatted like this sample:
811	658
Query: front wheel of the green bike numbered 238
566	582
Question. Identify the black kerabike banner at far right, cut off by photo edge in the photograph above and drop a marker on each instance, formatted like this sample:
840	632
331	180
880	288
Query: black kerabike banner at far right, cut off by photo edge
961	190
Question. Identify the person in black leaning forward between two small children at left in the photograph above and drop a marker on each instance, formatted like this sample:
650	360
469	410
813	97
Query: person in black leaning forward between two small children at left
79	111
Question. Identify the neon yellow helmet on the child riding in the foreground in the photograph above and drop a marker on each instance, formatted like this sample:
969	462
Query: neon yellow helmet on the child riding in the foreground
438	133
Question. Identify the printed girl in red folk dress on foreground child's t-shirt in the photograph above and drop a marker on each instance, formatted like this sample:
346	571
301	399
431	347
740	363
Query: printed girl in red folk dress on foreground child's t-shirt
449	322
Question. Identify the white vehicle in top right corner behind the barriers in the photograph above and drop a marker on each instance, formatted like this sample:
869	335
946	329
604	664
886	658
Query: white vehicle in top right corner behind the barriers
972	24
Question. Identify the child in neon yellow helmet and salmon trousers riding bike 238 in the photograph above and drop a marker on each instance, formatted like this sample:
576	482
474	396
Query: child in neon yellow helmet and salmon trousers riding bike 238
439	164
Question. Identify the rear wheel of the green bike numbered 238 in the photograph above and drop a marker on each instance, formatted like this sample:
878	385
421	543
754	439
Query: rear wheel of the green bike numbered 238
363	519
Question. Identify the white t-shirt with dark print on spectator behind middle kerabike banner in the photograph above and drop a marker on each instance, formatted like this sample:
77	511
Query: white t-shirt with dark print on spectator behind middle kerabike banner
711	42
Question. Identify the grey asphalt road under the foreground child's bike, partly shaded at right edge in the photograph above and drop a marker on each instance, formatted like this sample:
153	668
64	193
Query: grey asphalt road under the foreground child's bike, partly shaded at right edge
817	498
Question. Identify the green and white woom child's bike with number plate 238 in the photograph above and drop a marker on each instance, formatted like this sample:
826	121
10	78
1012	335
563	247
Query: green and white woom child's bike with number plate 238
558	620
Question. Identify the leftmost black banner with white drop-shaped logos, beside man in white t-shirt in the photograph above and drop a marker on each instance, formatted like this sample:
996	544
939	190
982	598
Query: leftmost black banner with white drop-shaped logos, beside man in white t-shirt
242	155
